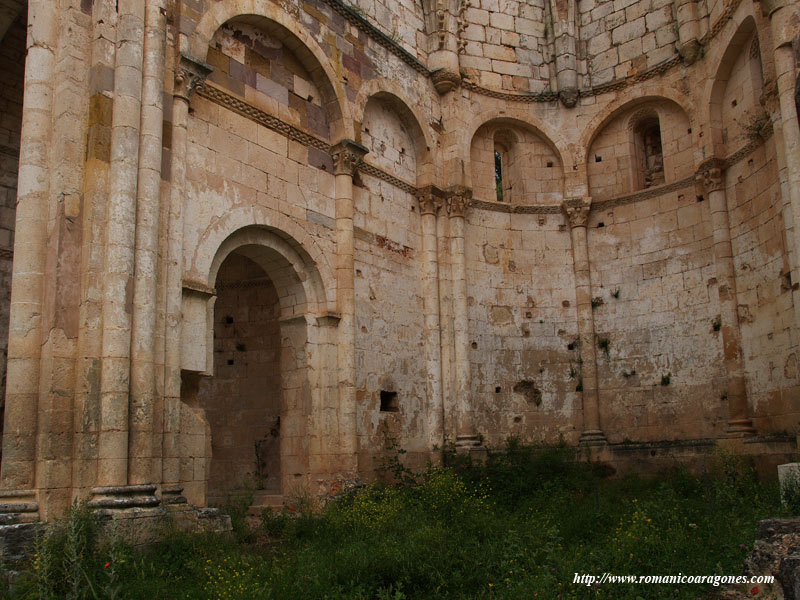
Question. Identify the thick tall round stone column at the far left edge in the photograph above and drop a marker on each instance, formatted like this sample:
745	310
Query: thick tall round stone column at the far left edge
30	242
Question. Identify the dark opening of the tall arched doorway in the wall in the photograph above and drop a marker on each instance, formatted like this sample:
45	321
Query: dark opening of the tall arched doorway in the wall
244	399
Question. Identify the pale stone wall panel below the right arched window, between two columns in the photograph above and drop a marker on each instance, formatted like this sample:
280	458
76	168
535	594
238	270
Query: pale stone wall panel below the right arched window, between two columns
654	279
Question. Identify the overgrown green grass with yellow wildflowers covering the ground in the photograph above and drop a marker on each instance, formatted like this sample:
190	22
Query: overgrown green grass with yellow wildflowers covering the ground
520	526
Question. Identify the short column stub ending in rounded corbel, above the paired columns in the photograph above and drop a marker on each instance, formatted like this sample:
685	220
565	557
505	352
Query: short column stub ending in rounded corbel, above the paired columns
446	44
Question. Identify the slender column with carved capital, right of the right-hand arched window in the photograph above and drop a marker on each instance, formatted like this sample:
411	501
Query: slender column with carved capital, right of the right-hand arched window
711	177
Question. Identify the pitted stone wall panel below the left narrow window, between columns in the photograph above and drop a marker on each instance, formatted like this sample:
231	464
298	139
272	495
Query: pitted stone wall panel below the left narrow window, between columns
523	353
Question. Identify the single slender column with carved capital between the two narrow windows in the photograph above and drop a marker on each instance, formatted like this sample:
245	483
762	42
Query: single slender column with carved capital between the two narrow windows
577	213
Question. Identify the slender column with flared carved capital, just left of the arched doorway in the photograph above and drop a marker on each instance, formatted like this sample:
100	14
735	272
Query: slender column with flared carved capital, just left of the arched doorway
188	75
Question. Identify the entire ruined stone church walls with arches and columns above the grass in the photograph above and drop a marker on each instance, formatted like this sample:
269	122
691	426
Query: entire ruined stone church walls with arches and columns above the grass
248	245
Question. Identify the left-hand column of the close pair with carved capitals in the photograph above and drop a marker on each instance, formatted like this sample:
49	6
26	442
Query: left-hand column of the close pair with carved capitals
430	202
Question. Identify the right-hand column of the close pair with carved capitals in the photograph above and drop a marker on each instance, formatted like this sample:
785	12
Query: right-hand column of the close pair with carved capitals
458	201
